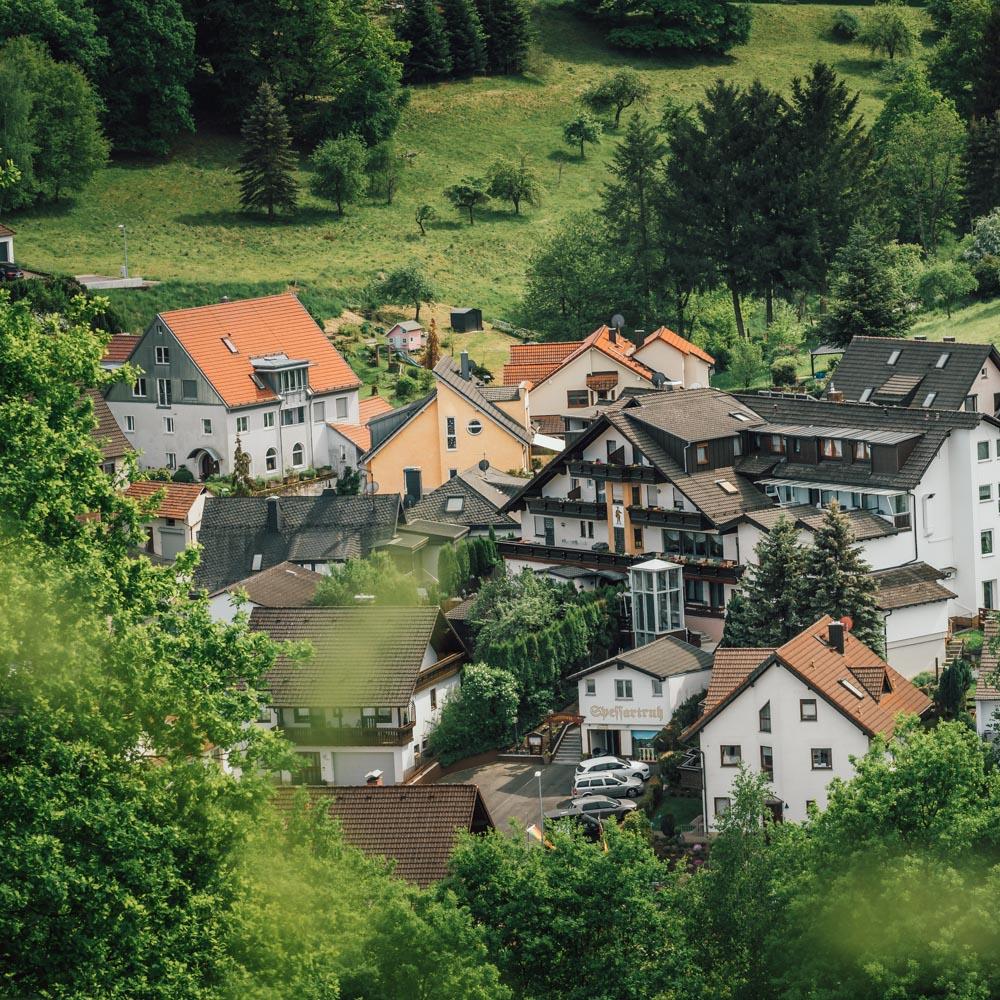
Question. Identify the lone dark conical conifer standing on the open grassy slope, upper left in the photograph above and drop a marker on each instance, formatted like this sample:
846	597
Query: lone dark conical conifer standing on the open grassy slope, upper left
267	164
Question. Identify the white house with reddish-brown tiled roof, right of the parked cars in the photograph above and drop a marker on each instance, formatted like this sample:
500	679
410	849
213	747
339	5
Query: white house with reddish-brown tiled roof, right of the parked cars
796	714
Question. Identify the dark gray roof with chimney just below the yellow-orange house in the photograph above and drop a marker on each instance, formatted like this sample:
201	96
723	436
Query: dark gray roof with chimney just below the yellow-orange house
325	528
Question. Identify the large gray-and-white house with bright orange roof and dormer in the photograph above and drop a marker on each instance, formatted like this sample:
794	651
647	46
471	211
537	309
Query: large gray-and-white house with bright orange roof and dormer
260	370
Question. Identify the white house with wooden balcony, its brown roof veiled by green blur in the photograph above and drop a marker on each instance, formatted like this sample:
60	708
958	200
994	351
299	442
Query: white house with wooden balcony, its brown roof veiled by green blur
369	696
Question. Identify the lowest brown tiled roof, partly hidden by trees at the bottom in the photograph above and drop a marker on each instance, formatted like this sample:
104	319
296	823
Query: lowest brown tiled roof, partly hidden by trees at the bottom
415	826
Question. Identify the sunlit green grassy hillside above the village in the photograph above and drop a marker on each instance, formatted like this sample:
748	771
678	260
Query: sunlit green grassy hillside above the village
184	227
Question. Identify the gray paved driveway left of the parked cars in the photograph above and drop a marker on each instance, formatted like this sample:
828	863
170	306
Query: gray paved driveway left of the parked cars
511	789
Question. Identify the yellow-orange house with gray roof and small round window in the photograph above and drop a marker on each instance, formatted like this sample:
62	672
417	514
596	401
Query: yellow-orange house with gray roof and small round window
416	448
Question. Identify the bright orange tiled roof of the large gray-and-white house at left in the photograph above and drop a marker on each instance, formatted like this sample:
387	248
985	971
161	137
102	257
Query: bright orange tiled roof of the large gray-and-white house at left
269	325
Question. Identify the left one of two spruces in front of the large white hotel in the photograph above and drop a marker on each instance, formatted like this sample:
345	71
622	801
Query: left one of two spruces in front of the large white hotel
767	610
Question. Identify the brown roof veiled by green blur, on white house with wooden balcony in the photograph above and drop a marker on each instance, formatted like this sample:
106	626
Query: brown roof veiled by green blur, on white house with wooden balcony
362	656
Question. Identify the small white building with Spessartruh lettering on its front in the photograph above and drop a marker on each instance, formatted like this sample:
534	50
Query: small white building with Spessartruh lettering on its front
626	700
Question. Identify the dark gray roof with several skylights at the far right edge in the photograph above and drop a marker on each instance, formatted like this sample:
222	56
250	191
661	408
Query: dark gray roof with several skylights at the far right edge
915	373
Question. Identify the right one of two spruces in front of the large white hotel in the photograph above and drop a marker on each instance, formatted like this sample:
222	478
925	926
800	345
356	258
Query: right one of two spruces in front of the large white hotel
837	582
